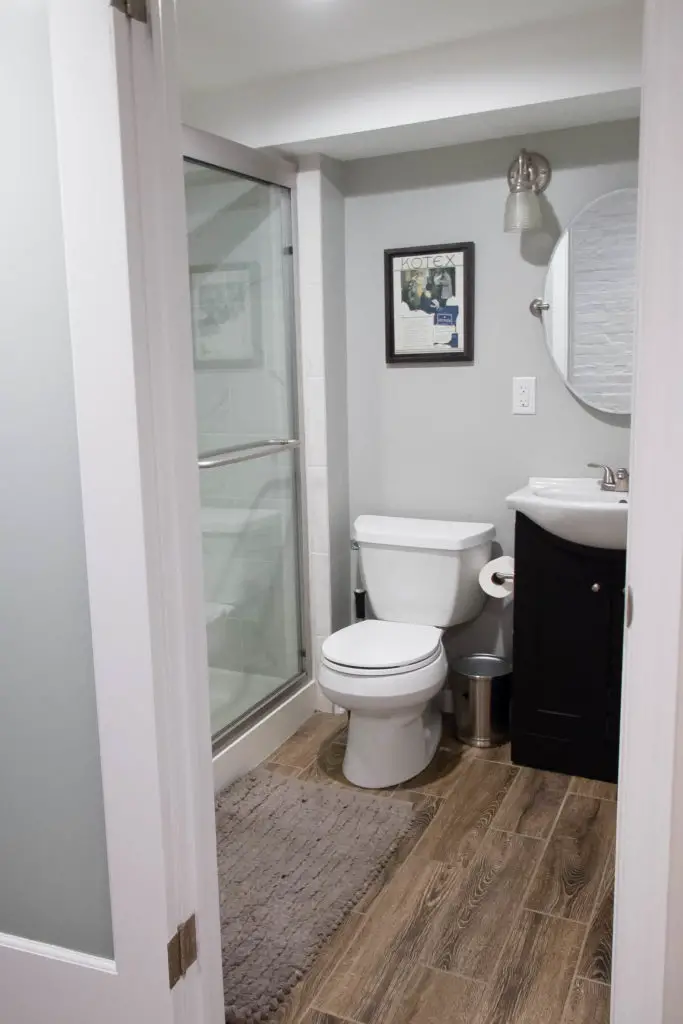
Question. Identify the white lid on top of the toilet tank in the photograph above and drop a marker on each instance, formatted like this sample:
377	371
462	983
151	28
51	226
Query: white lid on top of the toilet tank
436	534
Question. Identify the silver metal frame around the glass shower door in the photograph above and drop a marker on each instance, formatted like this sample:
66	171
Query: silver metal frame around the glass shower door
226	155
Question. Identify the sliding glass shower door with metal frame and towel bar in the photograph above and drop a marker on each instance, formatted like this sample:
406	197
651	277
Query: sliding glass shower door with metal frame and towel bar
239	206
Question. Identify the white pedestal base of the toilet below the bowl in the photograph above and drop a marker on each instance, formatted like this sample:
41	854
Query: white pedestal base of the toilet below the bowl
386	750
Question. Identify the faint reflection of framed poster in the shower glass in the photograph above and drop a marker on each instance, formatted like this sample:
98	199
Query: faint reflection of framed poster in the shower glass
227	316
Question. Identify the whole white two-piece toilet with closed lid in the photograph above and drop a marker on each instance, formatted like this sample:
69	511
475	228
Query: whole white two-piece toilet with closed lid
421	577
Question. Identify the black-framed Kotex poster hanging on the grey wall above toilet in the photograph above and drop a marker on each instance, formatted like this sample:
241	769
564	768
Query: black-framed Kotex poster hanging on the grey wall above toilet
430	302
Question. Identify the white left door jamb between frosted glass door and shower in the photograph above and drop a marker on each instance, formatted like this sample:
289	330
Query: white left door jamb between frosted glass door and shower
153	160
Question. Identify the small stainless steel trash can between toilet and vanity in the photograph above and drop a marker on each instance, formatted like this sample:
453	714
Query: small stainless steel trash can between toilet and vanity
482	686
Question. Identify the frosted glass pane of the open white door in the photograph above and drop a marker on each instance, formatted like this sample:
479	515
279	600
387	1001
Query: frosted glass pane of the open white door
55	885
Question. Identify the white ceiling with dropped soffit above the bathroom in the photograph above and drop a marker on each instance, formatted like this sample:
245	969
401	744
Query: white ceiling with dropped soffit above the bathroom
360	78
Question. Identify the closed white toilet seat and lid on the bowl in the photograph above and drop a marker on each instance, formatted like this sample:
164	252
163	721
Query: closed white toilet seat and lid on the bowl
377	648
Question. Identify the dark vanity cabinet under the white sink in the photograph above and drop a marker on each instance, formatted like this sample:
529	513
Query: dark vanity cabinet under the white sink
569	624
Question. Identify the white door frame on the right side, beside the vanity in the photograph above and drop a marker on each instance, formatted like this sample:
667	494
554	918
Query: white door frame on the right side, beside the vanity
648	980
